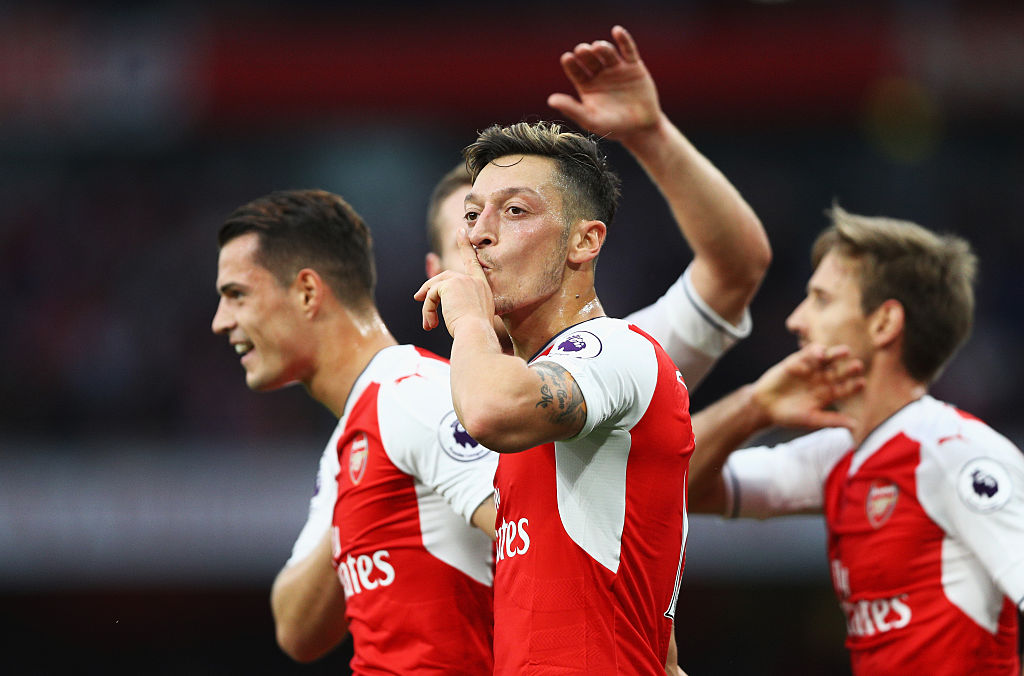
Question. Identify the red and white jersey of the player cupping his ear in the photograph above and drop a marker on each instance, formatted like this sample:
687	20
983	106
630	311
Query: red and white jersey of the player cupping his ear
926	535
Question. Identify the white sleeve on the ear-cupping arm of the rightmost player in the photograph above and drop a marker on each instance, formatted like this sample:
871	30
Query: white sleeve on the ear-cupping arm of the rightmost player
788	479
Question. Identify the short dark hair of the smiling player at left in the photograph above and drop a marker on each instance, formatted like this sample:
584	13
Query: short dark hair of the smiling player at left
310	229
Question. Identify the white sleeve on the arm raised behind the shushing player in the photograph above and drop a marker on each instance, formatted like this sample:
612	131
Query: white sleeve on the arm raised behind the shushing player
690	331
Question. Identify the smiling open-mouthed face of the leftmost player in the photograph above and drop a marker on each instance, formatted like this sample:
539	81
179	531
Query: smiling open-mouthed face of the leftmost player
261	318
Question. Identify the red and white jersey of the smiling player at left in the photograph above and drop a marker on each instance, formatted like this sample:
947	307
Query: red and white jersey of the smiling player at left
417	576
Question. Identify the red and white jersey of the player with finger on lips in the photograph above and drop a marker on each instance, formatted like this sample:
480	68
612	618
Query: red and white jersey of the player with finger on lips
591	530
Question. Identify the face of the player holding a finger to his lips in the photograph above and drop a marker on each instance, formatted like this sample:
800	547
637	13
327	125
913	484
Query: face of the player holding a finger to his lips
515	216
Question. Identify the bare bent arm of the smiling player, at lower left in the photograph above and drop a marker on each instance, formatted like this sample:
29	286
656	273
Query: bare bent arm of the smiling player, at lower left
309	606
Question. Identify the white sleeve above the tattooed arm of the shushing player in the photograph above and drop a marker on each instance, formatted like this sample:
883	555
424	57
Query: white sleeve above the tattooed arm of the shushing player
617	372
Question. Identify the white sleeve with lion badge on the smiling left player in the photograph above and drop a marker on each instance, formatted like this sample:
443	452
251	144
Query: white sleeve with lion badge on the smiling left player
424	439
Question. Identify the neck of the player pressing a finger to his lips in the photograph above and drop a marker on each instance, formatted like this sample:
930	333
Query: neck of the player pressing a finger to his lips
531	328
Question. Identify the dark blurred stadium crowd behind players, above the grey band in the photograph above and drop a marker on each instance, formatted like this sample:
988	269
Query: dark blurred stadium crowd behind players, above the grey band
118	162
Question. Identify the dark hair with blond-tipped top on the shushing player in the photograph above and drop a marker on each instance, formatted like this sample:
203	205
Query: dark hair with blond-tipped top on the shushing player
589	186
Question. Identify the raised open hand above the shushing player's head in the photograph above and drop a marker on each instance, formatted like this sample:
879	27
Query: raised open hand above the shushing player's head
617	95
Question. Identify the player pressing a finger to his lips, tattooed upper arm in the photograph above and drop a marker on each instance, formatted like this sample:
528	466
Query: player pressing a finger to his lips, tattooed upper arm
590	414
